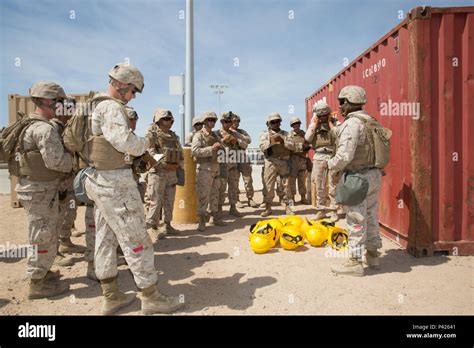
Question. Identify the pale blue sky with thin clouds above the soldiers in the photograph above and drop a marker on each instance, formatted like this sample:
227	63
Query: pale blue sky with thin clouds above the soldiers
271	53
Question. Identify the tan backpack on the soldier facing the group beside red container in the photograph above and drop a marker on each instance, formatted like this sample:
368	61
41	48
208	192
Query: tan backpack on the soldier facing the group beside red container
379	140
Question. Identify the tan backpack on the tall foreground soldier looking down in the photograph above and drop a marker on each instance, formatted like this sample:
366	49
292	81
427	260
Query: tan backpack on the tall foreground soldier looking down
77	132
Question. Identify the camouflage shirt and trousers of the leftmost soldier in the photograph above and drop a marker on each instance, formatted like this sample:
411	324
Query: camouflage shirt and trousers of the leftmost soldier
40	198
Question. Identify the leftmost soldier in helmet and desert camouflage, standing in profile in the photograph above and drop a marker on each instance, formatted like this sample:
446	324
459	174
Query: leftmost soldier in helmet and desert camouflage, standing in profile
43	161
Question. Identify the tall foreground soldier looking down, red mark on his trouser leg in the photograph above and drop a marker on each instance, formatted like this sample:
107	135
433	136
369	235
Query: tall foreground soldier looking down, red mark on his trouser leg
119	214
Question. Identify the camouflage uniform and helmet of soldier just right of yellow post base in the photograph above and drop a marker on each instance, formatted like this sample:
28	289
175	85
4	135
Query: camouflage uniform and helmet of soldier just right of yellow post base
207	170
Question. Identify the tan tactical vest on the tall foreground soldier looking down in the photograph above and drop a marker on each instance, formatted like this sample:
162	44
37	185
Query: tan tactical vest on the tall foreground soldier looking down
104	156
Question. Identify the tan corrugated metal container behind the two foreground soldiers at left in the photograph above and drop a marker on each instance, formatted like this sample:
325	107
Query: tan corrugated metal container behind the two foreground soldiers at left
18	103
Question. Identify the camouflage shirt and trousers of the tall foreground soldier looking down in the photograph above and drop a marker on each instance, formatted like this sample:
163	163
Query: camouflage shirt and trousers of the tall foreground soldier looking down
119	215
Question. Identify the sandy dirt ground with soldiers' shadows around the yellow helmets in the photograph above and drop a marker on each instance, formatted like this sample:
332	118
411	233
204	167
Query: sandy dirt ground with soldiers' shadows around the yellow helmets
215	272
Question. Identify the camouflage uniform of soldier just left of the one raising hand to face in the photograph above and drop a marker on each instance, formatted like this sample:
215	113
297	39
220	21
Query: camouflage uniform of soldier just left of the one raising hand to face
298	170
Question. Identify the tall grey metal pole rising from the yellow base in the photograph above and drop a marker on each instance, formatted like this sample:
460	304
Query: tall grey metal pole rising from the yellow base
189	75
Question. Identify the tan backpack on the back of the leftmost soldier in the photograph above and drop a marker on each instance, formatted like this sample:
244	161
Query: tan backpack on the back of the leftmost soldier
9	137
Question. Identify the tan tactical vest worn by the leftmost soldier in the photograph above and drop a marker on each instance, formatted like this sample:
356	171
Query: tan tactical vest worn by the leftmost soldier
31	164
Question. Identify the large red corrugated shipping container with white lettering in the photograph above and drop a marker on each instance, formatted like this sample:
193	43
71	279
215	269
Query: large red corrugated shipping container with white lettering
419	79
